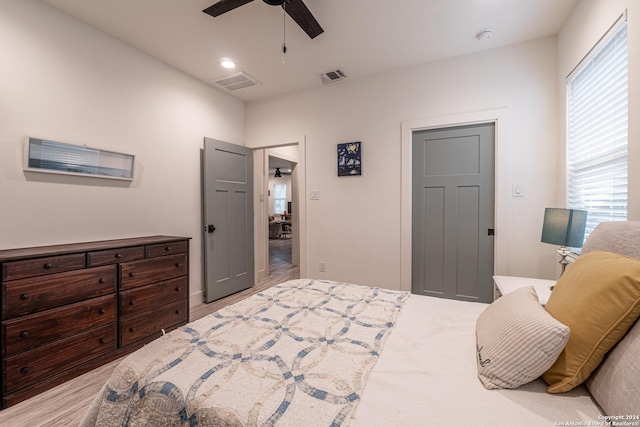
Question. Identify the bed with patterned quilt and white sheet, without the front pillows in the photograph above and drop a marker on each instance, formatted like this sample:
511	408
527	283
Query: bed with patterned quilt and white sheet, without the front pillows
322	353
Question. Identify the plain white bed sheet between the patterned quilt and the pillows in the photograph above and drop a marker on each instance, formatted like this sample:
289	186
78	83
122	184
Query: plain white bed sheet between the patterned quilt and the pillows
426	376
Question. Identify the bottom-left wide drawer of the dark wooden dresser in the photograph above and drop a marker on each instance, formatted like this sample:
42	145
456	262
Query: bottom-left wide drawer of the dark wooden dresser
34	365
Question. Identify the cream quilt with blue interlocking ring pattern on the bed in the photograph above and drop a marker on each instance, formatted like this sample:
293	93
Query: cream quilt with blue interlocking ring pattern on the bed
296	354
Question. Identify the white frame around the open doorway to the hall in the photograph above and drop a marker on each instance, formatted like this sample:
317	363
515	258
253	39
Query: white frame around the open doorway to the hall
261	239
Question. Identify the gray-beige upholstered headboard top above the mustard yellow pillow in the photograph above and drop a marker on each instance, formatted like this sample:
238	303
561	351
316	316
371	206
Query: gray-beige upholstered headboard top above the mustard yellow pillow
622	237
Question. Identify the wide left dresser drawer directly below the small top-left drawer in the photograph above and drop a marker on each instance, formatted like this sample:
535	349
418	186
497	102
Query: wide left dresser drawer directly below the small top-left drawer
36	294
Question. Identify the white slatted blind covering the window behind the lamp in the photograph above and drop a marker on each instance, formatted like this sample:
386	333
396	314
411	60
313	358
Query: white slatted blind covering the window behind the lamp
597	123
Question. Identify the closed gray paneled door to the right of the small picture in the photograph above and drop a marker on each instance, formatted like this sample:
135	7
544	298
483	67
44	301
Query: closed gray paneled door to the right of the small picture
453	212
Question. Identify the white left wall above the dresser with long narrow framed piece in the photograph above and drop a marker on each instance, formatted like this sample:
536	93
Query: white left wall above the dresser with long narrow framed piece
64	81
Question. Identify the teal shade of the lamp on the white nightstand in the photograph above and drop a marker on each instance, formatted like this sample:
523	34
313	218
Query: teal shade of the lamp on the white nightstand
564	227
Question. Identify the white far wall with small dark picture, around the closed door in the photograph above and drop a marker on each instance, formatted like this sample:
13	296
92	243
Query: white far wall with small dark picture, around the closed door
355	226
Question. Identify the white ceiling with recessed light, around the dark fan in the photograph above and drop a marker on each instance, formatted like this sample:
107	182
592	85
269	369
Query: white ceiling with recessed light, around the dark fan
361	37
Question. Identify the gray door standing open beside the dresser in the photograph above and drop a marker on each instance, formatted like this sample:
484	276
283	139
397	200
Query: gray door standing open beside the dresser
228	215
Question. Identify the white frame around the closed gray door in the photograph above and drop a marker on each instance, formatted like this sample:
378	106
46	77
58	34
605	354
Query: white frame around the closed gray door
500	118
